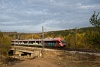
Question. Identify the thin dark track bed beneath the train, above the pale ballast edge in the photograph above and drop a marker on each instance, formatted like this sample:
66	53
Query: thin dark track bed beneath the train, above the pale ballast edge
64	48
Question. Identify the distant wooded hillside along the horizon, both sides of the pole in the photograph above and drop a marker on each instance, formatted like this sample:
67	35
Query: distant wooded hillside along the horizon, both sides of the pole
52	33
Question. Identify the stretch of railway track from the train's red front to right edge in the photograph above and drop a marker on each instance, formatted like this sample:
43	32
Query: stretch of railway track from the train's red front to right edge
82	51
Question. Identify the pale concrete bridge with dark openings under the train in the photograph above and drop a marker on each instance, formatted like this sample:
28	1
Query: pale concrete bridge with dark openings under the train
24	51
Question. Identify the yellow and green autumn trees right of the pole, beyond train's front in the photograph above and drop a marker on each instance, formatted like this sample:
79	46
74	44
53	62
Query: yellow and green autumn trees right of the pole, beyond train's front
88	37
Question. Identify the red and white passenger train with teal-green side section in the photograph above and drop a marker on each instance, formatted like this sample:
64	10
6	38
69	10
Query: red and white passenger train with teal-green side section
47	42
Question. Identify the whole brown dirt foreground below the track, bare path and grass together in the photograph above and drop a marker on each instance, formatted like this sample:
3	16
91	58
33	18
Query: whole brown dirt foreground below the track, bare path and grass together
59	59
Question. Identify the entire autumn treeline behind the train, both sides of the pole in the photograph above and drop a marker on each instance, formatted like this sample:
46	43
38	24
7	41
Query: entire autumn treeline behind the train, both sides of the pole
87	37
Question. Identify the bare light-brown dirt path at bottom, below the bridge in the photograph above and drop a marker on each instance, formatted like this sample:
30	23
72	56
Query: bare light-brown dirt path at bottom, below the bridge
38	62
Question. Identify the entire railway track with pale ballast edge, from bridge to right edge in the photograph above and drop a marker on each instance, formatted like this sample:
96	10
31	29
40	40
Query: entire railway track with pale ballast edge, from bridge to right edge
71	50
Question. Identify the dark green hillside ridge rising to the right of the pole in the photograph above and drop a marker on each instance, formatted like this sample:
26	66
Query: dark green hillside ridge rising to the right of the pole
66	32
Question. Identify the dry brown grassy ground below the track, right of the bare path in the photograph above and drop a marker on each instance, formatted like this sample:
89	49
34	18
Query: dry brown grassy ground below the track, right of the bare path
66	59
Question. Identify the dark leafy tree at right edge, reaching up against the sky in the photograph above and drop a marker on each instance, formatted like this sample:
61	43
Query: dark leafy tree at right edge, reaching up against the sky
95	21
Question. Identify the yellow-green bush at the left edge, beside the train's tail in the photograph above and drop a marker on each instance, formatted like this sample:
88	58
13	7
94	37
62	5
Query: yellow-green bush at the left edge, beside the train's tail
5	43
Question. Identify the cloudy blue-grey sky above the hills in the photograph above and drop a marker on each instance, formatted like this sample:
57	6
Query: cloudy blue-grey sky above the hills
29	16
